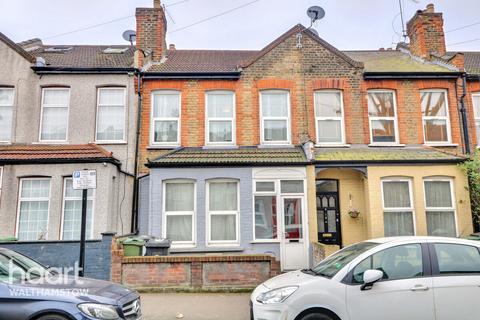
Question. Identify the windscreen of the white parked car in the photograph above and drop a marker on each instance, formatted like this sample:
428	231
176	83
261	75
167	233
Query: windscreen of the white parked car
334	263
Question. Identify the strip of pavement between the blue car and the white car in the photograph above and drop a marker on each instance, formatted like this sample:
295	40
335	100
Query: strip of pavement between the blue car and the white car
195	306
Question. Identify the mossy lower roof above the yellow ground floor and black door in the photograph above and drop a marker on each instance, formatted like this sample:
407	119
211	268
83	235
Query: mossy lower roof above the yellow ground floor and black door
384	155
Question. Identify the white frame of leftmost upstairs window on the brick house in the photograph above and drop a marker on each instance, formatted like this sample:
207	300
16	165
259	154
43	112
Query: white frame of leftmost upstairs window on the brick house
153	120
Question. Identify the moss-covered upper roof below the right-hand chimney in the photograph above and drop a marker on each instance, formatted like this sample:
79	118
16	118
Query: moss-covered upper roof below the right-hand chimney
393	61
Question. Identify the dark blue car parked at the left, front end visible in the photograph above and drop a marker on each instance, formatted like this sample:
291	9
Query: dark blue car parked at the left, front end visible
29	290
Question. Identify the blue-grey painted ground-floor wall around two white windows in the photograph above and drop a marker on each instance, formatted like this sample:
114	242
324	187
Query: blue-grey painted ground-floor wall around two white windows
154	210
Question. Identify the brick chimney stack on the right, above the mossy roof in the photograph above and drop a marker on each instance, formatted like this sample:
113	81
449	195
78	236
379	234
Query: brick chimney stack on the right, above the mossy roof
425	31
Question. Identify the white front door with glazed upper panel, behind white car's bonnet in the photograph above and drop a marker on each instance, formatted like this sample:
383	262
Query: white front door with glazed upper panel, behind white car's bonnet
293	238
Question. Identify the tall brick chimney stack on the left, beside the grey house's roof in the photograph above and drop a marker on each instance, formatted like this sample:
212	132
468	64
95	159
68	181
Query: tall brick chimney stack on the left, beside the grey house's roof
151	33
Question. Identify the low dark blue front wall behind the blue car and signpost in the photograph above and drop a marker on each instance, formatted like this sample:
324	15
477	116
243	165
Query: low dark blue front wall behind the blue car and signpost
61	254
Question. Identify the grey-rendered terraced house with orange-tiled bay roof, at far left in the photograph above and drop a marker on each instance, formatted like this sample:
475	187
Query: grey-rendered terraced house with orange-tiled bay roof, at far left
65	108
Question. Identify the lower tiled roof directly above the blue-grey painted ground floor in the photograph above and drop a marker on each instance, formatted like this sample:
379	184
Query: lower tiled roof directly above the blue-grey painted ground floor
237	156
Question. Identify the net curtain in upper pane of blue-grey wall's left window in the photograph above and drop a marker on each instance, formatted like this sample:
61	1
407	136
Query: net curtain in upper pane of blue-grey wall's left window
179	196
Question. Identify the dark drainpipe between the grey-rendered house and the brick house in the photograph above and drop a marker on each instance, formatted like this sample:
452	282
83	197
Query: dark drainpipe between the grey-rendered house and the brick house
134	227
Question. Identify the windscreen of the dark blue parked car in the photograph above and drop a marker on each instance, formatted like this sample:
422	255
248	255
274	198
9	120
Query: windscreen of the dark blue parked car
15	267
